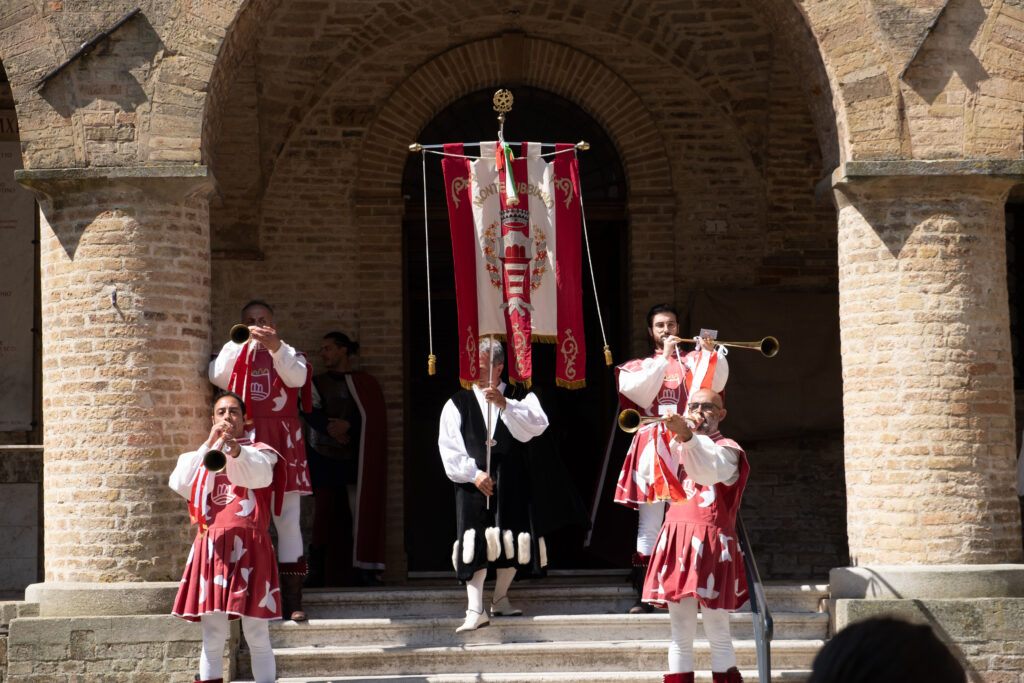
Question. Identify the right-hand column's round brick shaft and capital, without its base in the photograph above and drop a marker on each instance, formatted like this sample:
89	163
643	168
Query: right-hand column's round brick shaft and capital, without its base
928	380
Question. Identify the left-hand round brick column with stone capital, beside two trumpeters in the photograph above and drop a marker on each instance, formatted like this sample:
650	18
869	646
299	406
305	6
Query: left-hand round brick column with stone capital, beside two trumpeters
125	260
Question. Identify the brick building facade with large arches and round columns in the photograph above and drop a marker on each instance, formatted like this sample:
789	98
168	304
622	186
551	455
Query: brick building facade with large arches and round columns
858	154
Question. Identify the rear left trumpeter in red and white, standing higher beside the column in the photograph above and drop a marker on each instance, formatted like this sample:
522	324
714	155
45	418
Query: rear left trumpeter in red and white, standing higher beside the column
270	375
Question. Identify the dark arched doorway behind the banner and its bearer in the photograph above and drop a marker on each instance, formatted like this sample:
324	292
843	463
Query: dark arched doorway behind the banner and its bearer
580	419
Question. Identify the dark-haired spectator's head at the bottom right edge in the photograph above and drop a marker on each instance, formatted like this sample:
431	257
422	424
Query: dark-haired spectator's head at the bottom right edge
886	651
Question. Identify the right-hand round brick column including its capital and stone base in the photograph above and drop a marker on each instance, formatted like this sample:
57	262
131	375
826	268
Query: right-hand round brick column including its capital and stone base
933	521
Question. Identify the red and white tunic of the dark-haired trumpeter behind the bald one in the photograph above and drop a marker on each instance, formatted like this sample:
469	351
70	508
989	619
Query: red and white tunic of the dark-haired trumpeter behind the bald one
656	387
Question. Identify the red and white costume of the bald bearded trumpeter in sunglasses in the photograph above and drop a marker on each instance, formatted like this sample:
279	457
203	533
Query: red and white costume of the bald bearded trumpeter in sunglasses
697	554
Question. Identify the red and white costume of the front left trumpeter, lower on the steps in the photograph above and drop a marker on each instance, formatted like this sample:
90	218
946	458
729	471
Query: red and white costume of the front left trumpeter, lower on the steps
232	568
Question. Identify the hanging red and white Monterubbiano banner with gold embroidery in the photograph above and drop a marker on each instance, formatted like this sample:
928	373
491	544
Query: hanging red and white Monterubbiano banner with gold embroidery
518	258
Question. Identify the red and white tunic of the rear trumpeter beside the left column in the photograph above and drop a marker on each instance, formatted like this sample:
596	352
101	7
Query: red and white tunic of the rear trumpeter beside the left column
270	385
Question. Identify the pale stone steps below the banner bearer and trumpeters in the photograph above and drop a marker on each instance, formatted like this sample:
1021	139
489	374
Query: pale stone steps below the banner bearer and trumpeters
571	631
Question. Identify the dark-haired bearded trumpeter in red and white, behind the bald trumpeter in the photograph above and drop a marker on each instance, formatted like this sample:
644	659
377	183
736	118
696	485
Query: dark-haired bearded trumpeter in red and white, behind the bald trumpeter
658	387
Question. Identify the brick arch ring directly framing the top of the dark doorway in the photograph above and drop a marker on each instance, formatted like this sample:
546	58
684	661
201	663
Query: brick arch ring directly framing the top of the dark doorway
477	66
